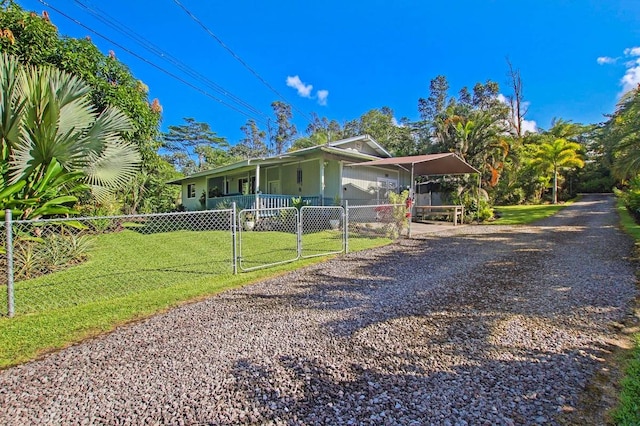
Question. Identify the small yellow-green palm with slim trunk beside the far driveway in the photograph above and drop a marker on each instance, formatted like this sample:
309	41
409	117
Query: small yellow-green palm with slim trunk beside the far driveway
555	154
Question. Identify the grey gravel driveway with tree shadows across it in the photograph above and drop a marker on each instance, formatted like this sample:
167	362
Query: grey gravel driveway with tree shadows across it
483	325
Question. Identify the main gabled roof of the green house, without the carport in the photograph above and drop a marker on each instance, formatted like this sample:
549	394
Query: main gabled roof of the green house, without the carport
336	147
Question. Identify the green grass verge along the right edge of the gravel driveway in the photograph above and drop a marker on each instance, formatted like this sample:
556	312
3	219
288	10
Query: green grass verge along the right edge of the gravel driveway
628	410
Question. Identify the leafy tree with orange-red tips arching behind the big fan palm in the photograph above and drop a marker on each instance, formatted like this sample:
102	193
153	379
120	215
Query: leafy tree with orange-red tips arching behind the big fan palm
34	40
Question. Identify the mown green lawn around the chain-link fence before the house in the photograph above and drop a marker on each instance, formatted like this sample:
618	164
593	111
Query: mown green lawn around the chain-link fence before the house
130	276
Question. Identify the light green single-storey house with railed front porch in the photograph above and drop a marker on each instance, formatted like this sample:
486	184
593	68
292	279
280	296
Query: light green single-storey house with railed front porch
320	175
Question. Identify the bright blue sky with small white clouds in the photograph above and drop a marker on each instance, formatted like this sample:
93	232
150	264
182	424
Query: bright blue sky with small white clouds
341	58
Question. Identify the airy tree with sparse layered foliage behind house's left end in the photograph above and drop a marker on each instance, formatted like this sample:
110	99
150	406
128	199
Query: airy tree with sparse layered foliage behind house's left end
195	147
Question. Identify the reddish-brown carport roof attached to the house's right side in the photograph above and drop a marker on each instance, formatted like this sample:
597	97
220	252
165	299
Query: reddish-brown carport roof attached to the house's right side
447	163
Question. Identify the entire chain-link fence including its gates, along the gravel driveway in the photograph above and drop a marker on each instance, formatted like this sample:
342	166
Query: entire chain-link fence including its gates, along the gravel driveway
60	263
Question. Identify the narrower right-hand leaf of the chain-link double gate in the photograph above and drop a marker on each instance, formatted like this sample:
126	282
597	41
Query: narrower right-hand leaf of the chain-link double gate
322	231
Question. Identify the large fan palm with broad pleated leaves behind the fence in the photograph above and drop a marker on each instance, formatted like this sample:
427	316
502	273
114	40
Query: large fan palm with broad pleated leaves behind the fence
54	144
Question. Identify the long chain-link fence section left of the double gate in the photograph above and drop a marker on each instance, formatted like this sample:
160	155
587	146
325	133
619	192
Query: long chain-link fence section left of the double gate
67	262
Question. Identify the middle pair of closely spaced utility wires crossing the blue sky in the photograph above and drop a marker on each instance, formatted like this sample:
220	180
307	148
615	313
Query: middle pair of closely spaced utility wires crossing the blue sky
149	46
